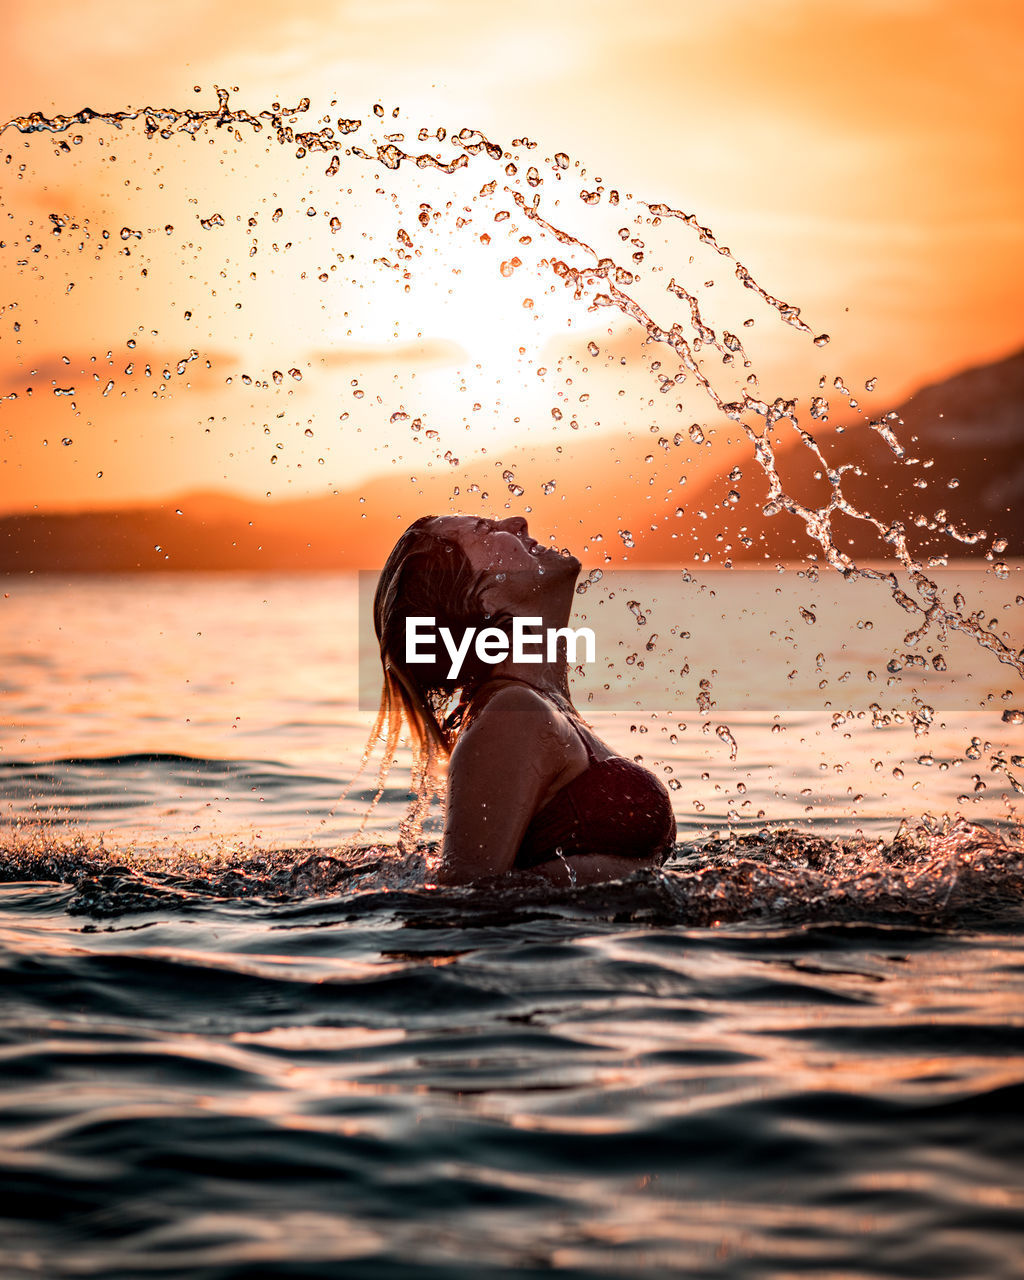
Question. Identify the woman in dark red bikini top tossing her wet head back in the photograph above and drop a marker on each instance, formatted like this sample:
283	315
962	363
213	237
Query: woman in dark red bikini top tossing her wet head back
529	788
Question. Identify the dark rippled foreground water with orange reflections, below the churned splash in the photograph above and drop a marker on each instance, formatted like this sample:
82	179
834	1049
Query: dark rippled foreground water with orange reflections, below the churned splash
427	1091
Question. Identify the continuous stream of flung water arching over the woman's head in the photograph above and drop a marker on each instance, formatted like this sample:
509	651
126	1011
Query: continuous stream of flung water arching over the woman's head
604	284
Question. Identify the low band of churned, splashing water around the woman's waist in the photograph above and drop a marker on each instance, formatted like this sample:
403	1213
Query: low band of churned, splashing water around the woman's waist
935	872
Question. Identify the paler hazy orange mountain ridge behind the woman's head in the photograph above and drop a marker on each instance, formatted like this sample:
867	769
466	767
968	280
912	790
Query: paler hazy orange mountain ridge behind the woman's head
602	486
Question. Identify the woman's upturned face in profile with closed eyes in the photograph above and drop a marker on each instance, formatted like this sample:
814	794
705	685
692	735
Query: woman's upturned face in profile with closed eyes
505	547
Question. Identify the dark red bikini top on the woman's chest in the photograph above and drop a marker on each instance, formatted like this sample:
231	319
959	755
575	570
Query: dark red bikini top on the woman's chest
614	807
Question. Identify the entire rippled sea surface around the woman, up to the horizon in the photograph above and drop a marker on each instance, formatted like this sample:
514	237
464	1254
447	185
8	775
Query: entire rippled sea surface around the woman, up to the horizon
244	1035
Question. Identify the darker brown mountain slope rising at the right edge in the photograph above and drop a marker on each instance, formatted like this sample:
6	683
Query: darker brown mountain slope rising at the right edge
962	470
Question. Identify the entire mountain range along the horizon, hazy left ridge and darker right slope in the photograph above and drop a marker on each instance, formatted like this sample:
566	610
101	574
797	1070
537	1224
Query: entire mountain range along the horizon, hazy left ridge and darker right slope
967	436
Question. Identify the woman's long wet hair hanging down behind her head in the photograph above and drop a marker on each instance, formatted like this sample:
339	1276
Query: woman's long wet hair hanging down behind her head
426	575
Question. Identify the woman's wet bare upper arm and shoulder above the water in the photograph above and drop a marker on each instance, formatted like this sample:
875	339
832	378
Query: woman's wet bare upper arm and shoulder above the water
504	765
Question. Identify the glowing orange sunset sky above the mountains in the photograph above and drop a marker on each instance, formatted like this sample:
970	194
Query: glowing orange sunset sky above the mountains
862	161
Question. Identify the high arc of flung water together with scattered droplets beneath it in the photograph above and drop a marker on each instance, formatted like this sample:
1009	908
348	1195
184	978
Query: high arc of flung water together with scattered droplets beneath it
519	181
